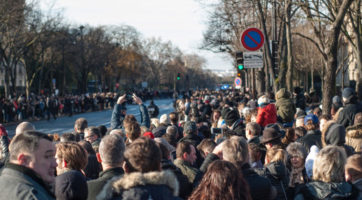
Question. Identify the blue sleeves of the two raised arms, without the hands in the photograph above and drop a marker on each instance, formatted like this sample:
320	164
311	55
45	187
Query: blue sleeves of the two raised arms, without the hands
117	117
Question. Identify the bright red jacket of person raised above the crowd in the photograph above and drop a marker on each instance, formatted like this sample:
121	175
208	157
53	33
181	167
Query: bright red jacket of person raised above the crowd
266	115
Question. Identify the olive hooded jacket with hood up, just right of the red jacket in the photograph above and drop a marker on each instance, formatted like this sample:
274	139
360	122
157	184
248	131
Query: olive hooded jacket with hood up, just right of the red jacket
285	106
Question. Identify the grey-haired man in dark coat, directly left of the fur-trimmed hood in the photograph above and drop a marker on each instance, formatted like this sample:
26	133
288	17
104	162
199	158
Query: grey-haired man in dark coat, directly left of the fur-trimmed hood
110	155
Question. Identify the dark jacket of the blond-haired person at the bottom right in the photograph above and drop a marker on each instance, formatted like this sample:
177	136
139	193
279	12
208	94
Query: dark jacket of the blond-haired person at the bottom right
319	190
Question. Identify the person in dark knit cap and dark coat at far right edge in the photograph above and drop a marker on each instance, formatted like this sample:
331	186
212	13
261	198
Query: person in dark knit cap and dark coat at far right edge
351	108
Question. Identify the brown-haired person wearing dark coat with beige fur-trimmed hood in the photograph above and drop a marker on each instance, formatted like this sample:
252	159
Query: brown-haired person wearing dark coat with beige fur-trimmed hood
143	178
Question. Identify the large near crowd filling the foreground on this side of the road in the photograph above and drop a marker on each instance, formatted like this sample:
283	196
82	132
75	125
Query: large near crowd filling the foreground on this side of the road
221	145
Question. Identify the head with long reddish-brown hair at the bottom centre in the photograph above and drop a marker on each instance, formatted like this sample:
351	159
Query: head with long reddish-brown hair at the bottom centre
222	181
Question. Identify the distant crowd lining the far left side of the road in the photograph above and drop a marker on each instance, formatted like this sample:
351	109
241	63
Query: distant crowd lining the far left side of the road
37	107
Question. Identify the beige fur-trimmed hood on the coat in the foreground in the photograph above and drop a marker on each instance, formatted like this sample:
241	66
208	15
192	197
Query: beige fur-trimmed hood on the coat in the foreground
129	181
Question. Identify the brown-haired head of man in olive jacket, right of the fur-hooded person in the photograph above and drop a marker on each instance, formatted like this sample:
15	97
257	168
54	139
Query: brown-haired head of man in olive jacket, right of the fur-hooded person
186	152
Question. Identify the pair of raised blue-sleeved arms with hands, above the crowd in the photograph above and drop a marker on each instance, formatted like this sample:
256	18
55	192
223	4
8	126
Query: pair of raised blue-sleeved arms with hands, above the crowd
120	110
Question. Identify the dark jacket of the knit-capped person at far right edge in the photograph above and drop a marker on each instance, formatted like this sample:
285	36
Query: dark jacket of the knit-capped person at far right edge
346	116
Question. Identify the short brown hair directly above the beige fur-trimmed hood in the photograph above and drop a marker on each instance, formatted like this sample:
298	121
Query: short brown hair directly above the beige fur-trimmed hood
143	155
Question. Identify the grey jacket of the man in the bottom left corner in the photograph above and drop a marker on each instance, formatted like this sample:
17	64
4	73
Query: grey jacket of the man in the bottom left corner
21	183
